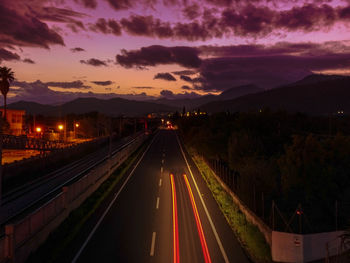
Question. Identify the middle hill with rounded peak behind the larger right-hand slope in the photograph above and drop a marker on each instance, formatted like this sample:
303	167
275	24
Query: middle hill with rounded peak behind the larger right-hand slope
231	93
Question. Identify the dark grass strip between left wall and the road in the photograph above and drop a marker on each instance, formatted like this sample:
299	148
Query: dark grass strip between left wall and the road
61	238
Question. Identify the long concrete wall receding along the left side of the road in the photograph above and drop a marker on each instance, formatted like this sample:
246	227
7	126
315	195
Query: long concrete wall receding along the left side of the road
27	234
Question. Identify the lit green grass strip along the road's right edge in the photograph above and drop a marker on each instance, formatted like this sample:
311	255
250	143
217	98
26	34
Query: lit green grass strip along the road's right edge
248	234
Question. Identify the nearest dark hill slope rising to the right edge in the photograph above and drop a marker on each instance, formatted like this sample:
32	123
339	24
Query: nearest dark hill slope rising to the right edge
314	95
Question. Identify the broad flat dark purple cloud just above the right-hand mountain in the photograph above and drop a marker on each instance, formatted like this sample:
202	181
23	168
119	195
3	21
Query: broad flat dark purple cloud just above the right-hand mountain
265	71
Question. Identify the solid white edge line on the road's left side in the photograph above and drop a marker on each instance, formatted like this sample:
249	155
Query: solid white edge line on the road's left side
110	205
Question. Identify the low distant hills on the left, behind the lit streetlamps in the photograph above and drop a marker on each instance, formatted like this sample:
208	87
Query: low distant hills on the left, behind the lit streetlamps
115	106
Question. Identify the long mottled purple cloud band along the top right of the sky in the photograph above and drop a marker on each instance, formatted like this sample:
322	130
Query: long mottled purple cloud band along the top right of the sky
246	21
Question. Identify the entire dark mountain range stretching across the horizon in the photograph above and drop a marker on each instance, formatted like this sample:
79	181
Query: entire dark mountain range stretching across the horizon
315	94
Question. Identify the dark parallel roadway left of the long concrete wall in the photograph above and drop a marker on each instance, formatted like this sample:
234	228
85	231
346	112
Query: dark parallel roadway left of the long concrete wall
25	198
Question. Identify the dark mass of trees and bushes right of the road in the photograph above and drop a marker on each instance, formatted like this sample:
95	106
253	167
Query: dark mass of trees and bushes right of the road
292	170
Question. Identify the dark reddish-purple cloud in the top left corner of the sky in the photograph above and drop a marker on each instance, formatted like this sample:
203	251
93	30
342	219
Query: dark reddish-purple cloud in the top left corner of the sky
18	27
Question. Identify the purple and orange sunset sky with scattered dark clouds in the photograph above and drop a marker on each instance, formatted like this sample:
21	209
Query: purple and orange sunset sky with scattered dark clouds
143	49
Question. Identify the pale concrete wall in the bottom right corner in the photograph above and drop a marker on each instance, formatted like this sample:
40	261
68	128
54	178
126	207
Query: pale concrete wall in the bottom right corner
288	247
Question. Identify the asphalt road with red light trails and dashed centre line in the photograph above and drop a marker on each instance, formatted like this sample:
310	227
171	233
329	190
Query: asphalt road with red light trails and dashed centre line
158	215
